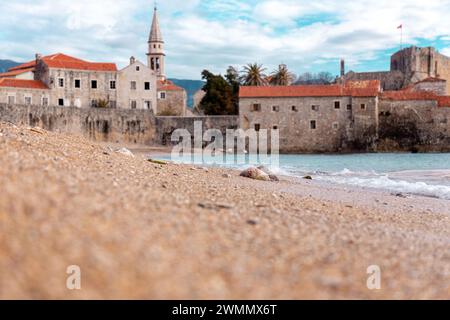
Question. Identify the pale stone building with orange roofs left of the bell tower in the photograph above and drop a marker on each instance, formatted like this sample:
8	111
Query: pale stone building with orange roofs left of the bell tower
66	81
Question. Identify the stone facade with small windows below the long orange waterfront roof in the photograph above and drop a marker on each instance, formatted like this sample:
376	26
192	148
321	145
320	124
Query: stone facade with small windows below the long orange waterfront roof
316	125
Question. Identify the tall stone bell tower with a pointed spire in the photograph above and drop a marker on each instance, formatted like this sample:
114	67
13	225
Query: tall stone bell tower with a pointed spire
155	53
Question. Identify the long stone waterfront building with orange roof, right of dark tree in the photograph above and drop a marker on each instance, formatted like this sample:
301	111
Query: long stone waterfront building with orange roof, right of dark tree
314	118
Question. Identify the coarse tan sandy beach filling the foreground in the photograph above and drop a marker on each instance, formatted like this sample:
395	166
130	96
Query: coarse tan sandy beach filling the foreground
140	230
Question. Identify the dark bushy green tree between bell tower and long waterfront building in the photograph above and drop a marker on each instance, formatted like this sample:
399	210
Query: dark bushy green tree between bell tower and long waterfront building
218	99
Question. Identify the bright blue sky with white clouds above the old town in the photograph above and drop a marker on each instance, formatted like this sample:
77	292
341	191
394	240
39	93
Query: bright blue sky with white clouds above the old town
306	35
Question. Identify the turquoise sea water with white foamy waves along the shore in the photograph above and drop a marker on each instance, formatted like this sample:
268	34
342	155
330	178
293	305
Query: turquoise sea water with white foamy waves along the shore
422	174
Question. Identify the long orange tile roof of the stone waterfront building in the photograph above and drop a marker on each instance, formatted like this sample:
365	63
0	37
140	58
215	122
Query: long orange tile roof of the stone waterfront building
369	88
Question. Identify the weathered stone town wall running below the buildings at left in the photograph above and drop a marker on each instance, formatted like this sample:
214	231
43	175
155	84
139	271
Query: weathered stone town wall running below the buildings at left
110	125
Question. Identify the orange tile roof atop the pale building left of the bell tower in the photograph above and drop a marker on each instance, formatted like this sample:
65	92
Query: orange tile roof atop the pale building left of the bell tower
62	61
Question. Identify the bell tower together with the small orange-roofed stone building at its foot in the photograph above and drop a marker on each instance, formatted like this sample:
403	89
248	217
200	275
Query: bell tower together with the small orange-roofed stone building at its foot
172	99
